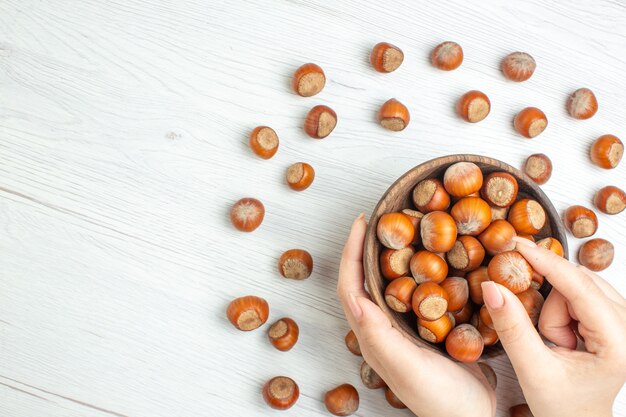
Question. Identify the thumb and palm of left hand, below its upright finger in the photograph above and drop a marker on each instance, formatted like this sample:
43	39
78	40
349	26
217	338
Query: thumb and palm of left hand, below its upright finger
382	345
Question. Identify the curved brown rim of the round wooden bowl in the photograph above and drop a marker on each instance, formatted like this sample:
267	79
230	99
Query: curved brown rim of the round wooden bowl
372	247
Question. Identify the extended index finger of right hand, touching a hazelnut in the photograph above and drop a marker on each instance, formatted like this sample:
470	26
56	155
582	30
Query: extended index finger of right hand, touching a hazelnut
580	290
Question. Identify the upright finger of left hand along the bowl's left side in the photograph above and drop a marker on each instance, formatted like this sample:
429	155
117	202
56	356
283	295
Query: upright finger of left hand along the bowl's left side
351	267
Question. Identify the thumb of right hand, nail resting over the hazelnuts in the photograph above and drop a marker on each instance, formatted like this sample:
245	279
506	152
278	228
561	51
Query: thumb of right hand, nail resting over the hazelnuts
515	330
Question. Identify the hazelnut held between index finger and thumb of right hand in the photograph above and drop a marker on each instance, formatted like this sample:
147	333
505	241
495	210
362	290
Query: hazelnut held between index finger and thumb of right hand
510	270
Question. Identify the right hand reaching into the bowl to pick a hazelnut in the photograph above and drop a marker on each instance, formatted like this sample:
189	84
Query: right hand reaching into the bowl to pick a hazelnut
562	381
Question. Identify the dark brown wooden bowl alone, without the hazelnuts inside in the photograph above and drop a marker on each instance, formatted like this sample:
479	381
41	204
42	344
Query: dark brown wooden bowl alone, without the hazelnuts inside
399	196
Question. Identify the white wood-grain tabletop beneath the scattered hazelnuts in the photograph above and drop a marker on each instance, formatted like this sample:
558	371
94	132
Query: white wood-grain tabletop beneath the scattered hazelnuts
123	143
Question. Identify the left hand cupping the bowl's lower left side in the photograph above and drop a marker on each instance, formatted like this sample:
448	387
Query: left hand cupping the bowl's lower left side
417	376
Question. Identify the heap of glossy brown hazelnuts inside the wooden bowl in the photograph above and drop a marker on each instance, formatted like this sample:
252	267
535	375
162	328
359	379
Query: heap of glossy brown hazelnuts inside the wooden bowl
459	235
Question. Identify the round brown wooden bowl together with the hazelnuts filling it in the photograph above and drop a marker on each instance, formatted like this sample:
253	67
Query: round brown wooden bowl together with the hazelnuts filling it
442	229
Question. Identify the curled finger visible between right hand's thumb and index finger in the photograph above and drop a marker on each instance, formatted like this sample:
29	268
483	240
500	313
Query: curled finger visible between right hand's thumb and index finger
555	320
